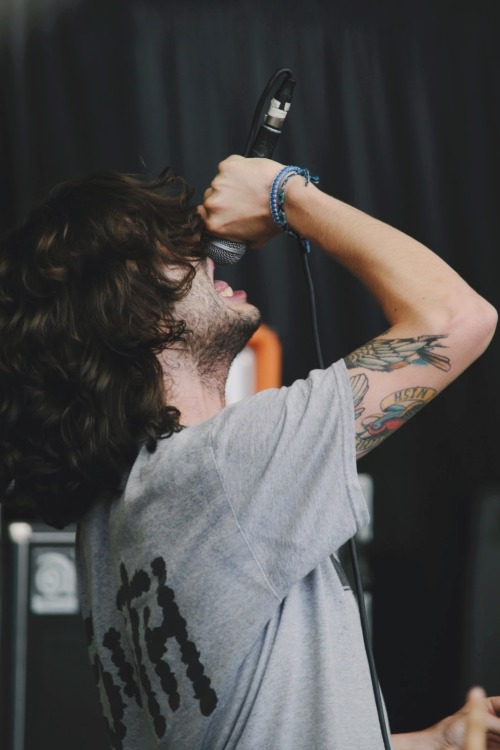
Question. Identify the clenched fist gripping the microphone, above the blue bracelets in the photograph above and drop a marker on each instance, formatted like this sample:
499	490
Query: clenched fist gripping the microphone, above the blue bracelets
236	205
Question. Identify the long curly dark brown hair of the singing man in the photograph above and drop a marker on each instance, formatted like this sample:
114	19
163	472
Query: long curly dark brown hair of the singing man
85	307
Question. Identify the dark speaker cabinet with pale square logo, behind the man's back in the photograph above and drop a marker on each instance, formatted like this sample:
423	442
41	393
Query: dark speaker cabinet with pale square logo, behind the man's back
49	699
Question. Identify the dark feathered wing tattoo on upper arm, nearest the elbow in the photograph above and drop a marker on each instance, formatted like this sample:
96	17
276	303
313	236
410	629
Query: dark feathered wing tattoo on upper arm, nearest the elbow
386	355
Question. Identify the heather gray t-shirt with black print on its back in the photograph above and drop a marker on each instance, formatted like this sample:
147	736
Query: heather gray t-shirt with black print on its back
214	615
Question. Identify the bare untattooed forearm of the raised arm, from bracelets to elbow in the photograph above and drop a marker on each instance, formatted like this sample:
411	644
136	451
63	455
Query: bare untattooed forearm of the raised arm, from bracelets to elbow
408	279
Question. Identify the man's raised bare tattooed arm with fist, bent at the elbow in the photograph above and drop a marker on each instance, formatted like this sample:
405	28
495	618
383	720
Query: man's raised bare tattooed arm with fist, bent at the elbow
438	324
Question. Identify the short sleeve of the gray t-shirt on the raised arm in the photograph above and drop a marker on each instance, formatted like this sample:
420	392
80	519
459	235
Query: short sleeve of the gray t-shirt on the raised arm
286	459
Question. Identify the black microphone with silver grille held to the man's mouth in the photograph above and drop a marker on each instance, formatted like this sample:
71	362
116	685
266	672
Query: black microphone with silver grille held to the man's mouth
225	252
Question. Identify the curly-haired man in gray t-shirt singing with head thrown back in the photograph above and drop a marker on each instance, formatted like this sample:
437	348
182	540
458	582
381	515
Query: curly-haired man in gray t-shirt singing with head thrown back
214	615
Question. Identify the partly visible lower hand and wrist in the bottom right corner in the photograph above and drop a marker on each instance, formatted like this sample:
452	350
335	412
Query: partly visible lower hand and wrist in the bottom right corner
476	726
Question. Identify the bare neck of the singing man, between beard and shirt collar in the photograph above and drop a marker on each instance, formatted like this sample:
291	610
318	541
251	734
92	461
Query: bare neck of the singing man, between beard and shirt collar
197	396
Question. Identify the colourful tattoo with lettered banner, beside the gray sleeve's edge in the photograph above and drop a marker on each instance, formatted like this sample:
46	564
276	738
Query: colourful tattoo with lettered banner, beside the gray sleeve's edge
396	409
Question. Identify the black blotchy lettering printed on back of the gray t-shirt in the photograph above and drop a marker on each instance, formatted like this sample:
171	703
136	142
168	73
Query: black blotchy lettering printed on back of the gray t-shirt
150	649
